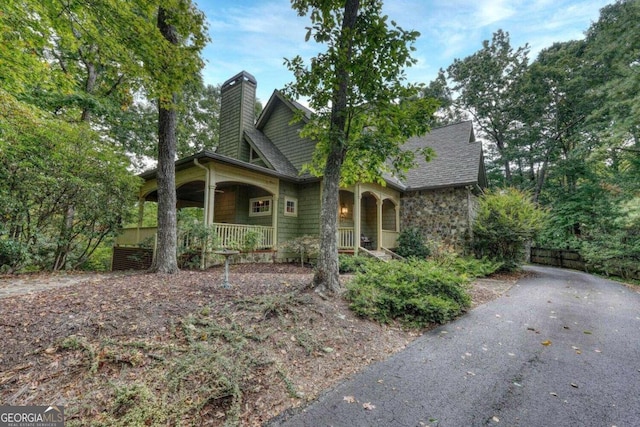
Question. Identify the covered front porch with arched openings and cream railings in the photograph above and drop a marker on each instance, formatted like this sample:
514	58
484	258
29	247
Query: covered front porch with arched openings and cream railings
246	210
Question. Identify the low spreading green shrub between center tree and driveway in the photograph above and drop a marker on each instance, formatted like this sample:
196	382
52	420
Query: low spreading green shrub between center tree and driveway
416	293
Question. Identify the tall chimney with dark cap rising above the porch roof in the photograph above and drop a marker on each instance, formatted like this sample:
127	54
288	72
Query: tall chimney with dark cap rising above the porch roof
238	99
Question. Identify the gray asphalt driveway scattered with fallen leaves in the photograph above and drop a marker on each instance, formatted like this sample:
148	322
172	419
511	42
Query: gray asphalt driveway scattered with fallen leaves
561	348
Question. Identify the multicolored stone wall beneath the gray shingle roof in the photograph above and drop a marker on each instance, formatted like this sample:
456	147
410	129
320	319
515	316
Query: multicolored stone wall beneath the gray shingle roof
444	215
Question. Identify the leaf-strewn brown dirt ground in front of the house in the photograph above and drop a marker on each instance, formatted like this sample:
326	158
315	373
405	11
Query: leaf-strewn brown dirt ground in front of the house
135	348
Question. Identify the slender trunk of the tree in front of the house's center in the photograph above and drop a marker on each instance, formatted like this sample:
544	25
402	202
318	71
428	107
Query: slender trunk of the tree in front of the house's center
327	276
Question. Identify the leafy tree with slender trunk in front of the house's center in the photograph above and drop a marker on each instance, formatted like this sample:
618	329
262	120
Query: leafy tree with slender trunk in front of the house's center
353	89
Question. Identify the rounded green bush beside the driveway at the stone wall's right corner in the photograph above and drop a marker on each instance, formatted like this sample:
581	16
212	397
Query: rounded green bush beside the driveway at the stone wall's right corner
506	221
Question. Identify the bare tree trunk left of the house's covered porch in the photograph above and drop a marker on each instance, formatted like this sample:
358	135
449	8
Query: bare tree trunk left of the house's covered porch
166	249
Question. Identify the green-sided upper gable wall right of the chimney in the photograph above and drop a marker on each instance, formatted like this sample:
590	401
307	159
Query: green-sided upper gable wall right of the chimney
285	136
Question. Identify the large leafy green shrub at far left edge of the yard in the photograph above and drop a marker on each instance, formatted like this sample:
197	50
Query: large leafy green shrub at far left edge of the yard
63	190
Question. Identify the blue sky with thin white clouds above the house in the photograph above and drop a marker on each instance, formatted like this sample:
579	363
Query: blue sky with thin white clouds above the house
255	36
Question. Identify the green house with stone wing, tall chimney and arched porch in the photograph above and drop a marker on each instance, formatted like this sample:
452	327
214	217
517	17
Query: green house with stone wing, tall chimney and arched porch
254	182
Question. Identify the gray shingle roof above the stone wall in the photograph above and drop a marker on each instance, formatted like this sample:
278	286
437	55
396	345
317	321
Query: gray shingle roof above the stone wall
457	162
